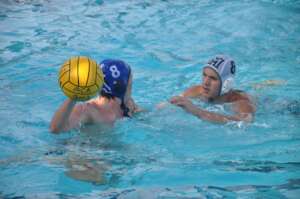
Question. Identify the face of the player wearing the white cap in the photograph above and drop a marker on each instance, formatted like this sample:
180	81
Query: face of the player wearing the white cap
210	83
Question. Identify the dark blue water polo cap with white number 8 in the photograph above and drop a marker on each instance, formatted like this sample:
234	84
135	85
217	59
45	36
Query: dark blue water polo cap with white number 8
116	77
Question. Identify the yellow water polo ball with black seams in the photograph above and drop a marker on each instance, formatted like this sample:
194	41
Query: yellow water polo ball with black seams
80	78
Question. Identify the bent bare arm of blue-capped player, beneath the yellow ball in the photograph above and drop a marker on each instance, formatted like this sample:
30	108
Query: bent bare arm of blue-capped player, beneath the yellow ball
67	116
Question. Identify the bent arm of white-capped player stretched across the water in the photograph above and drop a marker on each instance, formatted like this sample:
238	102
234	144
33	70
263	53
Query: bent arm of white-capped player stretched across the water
243	111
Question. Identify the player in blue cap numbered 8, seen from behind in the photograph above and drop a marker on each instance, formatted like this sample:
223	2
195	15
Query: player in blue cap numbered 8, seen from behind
114	101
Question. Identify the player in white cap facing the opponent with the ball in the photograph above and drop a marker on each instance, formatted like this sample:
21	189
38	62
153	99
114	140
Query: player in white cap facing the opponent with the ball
217	87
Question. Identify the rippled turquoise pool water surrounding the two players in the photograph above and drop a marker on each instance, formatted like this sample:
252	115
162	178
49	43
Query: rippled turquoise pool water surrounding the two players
161	153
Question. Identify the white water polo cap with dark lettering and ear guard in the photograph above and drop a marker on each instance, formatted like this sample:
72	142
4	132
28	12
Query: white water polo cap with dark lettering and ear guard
224	66
